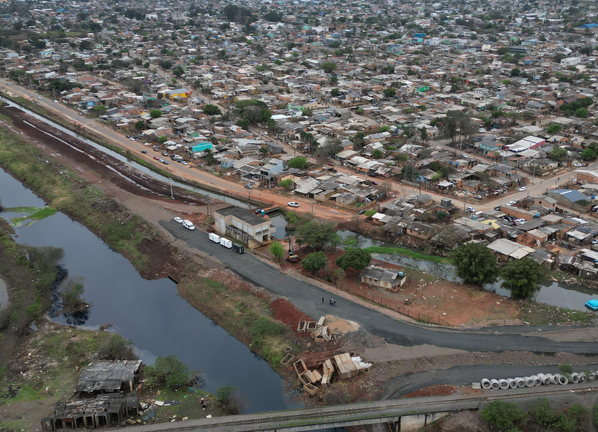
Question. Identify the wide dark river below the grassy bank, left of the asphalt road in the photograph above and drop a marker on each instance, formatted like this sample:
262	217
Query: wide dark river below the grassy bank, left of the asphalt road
149	313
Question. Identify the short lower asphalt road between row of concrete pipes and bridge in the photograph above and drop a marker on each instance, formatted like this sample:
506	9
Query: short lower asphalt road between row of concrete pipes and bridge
463	375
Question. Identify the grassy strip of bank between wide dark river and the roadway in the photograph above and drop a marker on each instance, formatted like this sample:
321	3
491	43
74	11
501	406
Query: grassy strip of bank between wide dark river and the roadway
152	254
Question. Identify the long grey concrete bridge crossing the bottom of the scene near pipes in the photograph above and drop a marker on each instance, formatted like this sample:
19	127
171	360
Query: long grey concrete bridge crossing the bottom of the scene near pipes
403	414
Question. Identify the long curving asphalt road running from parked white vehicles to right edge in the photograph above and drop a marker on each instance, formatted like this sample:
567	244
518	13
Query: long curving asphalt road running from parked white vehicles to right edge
308	298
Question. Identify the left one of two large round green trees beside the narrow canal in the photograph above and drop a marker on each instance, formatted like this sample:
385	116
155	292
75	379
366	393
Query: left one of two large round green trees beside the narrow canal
475	263
